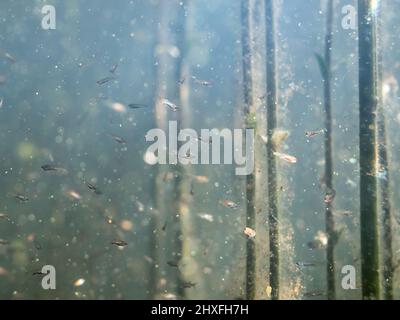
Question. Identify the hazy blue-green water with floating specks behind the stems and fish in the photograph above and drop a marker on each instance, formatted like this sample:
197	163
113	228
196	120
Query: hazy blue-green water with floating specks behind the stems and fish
53	112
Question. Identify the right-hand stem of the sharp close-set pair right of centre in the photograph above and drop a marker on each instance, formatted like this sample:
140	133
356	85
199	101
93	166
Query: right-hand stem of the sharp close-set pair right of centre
271	88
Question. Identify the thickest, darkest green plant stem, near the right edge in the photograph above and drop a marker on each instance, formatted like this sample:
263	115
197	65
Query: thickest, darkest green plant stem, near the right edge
368	185
